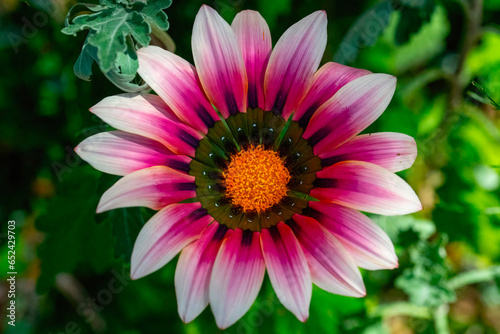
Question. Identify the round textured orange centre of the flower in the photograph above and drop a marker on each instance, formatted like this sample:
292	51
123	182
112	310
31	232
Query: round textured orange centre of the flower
256	179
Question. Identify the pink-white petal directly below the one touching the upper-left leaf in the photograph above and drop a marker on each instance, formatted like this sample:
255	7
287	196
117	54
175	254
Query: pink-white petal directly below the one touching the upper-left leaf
148	116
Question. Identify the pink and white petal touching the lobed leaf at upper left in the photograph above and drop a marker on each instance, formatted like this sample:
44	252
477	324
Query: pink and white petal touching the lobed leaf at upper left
175	80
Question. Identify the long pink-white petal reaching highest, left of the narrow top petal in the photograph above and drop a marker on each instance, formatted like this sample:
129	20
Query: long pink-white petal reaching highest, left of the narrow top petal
219	62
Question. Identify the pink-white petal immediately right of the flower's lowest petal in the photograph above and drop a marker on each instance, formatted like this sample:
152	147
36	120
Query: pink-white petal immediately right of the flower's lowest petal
287	269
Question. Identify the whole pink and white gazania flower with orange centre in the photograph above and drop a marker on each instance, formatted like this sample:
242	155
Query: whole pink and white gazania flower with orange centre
254	162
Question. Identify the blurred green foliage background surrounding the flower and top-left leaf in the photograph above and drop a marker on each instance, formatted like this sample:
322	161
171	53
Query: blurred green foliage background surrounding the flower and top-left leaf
72	264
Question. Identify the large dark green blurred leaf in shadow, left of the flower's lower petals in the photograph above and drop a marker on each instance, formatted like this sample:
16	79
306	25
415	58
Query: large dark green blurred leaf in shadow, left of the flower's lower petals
73	239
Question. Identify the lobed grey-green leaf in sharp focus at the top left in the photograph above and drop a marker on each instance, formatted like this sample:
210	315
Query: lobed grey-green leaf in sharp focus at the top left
116	30
